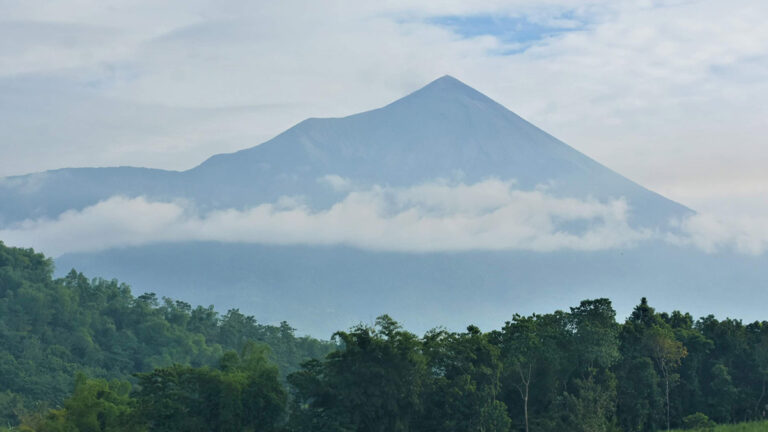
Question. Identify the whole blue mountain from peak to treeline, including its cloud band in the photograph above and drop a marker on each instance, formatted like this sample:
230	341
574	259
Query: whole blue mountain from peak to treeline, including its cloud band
443	206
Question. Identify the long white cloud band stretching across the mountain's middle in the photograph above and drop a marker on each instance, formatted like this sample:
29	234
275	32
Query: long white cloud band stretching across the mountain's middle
490	215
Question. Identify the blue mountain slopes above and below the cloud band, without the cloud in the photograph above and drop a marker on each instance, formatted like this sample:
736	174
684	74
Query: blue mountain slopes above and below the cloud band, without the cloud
445	131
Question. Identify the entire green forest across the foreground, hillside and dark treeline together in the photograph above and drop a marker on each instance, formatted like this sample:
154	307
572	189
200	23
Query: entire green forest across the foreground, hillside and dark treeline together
79	354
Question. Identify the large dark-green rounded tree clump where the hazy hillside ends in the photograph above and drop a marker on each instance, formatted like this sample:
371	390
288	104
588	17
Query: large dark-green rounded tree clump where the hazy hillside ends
374	383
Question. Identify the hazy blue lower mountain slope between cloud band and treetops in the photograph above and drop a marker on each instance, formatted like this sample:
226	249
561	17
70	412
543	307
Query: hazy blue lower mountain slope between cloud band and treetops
320	289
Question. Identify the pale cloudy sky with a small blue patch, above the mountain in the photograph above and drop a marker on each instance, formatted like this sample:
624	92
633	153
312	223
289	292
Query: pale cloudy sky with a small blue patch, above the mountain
668	93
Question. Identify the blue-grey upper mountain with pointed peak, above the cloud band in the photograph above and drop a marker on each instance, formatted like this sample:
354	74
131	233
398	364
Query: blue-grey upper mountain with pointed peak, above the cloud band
446	130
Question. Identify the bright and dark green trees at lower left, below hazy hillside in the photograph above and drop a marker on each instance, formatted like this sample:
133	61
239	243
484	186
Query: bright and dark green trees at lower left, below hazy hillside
243	394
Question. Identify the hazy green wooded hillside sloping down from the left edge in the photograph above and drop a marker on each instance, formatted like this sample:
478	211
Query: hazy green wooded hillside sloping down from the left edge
50	329
